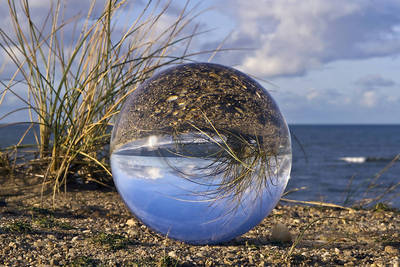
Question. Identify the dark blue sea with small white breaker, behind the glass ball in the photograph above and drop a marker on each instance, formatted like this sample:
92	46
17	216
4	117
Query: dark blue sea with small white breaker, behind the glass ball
340	164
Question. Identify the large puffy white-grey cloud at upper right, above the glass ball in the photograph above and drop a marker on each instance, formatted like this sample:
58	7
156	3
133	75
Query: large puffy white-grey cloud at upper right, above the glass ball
291	37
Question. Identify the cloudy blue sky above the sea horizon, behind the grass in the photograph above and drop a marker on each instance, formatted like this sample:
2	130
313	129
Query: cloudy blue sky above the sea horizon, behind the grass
323	61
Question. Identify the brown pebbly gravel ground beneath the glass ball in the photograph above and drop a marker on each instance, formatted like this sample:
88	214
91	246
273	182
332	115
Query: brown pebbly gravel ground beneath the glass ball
93	227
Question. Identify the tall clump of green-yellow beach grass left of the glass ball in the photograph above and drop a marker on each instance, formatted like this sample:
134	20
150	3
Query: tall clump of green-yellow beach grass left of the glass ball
73	90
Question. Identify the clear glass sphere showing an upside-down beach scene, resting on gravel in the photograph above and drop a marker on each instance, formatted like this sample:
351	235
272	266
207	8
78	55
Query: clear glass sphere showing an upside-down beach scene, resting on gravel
200	153
